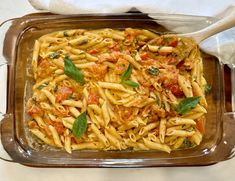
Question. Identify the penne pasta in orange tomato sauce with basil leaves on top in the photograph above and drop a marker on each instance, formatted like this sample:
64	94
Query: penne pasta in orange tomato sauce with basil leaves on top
116	90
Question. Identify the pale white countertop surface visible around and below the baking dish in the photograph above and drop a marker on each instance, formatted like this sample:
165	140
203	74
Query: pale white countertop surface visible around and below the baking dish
16	172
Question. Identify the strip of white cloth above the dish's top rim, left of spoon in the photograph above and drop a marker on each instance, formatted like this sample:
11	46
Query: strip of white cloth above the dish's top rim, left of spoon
198	7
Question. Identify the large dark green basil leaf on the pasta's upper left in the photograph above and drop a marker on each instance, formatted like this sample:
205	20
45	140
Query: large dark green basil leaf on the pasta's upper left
72	71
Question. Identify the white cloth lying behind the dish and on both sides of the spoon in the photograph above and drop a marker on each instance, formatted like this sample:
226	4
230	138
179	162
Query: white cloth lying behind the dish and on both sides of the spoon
226	40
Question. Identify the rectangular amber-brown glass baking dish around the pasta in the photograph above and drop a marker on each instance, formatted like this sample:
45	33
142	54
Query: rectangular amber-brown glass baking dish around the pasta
20	34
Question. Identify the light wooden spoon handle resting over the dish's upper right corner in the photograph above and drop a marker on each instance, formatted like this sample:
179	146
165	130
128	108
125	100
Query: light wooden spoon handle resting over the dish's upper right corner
223	24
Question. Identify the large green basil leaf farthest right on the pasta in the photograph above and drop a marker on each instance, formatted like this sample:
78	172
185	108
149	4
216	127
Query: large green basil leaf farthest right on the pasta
187	104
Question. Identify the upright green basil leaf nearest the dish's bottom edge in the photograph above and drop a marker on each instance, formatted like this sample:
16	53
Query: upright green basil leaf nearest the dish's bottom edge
80	125
